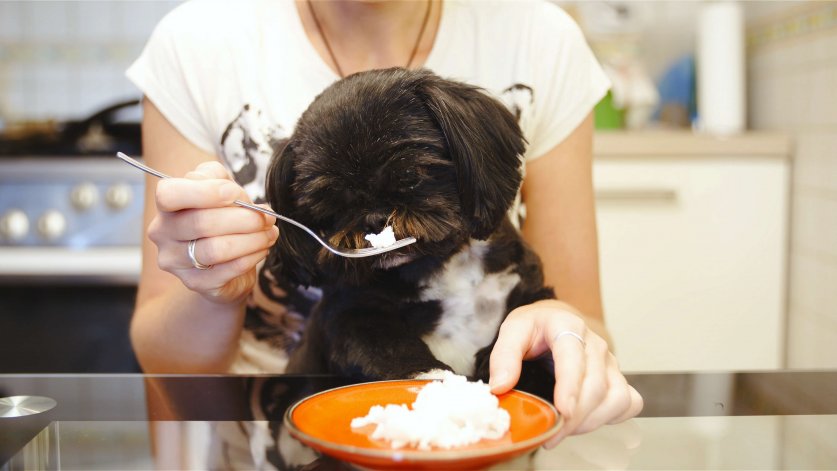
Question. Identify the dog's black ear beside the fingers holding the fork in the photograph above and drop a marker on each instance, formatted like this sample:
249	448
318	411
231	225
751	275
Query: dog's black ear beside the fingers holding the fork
291	257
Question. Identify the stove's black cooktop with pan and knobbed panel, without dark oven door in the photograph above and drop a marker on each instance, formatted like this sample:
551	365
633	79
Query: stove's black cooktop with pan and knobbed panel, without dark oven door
69	209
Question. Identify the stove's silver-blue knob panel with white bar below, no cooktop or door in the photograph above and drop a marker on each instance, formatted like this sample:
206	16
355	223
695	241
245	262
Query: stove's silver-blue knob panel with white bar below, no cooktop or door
70	217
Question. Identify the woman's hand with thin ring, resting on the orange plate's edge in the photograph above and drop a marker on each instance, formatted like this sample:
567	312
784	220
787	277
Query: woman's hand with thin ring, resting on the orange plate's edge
590	391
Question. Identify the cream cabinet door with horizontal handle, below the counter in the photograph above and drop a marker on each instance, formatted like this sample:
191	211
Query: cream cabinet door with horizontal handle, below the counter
693	260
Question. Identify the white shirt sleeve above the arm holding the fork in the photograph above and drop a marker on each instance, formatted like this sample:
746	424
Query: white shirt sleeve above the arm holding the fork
167	73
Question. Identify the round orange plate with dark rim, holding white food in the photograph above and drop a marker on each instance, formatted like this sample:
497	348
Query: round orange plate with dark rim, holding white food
323	422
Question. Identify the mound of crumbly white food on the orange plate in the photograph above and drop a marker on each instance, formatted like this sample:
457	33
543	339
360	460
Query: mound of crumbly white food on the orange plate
450	413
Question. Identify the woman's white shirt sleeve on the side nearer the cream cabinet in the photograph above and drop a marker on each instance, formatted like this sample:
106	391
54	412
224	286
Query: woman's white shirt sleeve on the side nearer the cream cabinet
569	81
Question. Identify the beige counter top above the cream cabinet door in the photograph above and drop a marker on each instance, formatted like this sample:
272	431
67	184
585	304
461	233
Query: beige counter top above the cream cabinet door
661	143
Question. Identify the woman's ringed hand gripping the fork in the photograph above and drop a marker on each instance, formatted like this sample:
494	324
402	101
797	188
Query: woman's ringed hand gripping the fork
230	239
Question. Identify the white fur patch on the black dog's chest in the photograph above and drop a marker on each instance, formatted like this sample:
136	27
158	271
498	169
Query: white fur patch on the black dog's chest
473	305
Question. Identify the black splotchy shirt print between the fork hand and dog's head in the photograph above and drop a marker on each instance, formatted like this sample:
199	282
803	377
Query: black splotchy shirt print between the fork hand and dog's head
247	146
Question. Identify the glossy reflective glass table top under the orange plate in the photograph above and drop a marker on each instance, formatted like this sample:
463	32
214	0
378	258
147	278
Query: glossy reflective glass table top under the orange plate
736	420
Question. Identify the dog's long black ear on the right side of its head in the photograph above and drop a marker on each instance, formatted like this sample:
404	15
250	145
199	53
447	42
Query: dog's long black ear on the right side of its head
486	146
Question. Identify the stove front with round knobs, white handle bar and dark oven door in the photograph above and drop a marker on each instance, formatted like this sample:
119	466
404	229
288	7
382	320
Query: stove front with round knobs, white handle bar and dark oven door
70	231
